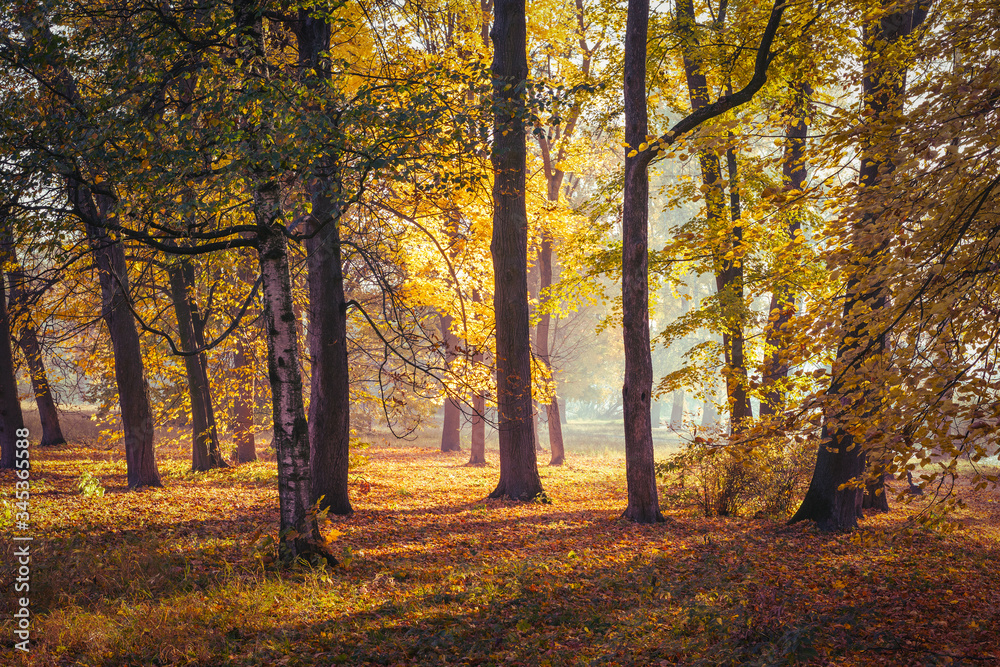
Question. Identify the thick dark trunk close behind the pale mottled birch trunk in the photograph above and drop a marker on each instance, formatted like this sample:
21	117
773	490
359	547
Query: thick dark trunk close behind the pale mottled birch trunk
330	399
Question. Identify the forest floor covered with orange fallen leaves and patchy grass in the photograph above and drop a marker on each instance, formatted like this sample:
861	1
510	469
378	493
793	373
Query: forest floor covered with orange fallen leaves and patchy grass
433	574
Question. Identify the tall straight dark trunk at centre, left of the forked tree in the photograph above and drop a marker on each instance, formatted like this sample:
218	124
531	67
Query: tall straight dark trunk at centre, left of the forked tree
519	478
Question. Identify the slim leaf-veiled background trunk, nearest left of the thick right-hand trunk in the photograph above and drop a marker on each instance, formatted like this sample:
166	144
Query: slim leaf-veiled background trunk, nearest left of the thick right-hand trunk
776	360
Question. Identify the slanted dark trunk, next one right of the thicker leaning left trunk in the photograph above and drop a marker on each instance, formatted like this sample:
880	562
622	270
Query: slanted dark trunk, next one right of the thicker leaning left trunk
205	453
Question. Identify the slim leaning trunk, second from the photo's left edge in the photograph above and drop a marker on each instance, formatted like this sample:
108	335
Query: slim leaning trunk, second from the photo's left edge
20	318
